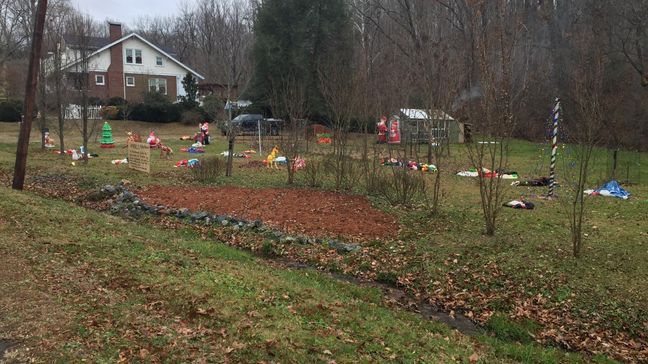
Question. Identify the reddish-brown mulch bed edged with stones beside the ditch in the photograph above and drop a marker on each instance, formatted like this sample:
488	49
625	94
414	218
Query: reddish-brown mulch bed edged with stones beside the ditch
307	212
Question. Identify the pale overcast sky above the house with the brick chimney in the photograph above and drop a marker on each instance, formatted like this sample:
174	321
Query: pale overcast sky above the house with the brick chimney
126	11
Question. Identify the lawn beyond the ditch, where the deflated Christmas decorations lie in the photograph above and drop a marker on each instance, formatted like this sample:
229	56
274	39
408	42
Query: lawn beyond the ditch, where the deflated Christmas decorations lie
529	256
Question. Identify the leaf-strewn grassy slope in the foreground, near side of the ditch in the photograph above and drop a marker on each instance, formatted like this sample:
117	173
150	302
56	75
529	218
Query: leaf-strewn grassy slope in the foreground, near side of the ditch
130	290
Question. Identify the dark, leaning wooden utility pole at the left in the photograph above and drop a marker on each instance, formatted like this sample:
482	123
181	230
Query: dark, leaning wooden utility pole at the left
30	97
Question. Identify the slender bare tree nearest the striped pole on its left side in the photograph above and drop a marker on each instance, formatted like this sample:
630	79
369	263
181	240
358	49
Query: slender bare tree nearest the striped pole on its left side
499	31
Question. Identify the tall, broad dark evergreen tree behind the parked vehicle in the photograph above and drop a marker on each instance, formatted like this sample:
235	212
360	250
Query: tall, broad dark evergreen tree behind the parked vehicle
293	38
